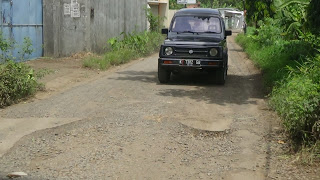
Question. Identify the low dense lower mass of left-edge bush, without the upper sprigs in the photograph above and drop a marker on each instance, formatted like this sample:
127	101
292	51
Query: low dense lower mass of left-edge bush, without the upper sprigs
17	81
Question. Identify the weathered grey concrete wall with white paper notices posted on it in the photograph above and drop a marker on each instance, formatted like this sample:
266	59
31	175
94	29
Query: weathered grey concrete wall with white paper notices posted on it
100	20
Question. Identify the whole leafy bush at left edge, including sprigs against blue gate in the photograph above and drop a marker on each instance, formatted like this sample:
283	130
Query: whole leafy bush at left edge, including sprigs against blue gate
17	80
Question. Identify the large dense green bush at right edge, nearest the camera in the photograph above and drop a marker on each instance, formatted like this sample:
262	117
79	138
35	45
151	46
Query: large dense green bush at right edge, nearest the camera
297	100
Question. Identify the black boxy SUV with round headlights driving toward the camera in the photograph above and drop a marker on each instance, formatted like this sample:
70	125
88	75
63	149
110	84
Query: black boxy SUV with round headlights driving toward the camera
196	40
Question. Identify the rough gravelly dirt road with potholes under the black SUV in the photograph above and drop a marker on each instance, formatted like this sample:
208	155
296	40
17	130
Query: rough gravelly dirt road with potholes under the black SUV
127	126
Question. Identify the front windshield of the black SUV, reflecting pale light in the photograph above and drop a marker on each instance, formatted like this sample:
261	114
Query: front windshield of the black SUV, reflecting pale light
196	24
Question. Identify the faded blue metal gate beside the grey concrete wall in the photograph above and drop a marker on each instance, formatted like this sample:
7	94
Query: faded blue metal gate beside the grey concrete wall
21	19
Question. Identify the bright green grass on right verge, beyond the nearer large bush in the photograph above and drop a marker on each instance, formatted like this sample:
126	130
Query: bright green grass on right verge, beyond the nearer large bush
274	59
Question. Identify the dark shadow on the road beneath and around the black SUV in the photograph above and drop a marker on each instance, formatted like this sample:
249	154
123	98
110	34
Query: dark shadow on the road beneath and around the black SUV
237	90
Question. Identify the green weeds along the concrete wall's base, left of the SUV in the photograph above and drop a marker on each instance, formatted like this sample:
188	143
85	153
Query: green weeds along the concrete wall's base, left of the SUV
131	46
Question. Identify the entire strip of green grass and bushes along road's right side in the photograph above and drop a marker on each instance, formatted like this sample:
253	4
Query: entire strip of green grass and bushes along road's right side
291	71
